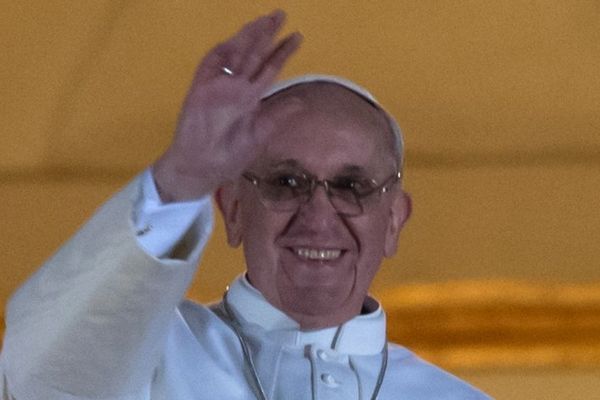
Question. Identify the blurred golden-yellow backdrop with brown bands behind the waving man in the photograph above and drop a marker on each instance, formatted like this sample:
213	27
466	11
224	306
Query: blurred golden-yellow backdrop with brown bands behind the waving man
497	277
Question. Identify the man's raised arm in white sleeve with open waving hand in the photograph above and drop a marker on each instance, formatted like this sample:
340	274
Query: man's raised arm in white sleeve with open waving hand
92	322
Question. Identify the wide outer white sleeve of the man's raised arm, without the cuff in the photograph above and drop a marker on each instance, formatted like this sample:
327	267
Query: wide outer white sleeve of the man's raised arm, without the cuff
92	323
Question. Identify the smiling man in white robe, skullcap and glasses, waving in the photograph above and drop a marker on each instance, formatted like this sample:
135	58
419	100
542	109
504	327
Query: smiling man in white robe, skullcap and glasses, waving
307	177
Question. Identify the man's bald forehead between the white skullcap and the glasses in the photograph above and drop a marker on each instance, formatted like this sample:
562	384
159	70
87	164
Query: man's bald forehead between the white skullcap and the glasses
331	128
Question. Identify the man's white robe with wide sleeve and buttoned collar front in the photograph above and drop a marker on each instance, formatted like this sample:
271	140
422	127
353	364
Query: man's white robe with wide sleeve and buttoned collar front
103	319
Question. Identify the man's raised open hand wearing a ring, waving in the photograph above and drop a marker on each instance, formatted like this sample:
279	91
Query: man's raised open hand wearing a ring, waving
219	133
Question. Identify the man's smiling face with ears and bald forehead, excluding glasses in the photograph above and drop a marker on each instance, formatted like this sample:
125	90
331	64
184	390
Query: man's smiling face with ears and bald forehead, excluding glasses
311	262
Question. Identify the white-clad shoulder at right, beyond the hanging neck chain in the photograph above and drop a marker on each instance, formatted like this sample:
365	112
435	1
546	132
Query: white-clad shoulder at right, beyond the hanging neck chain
417	378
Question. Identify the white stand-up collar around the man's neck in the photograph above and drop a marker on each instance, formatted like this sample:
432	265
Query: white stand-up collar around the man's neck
362	335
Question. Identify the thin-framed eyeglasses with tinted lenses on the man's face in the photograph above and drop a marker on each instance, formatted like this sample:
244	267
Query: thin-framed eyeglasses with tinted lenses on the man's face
349	195
